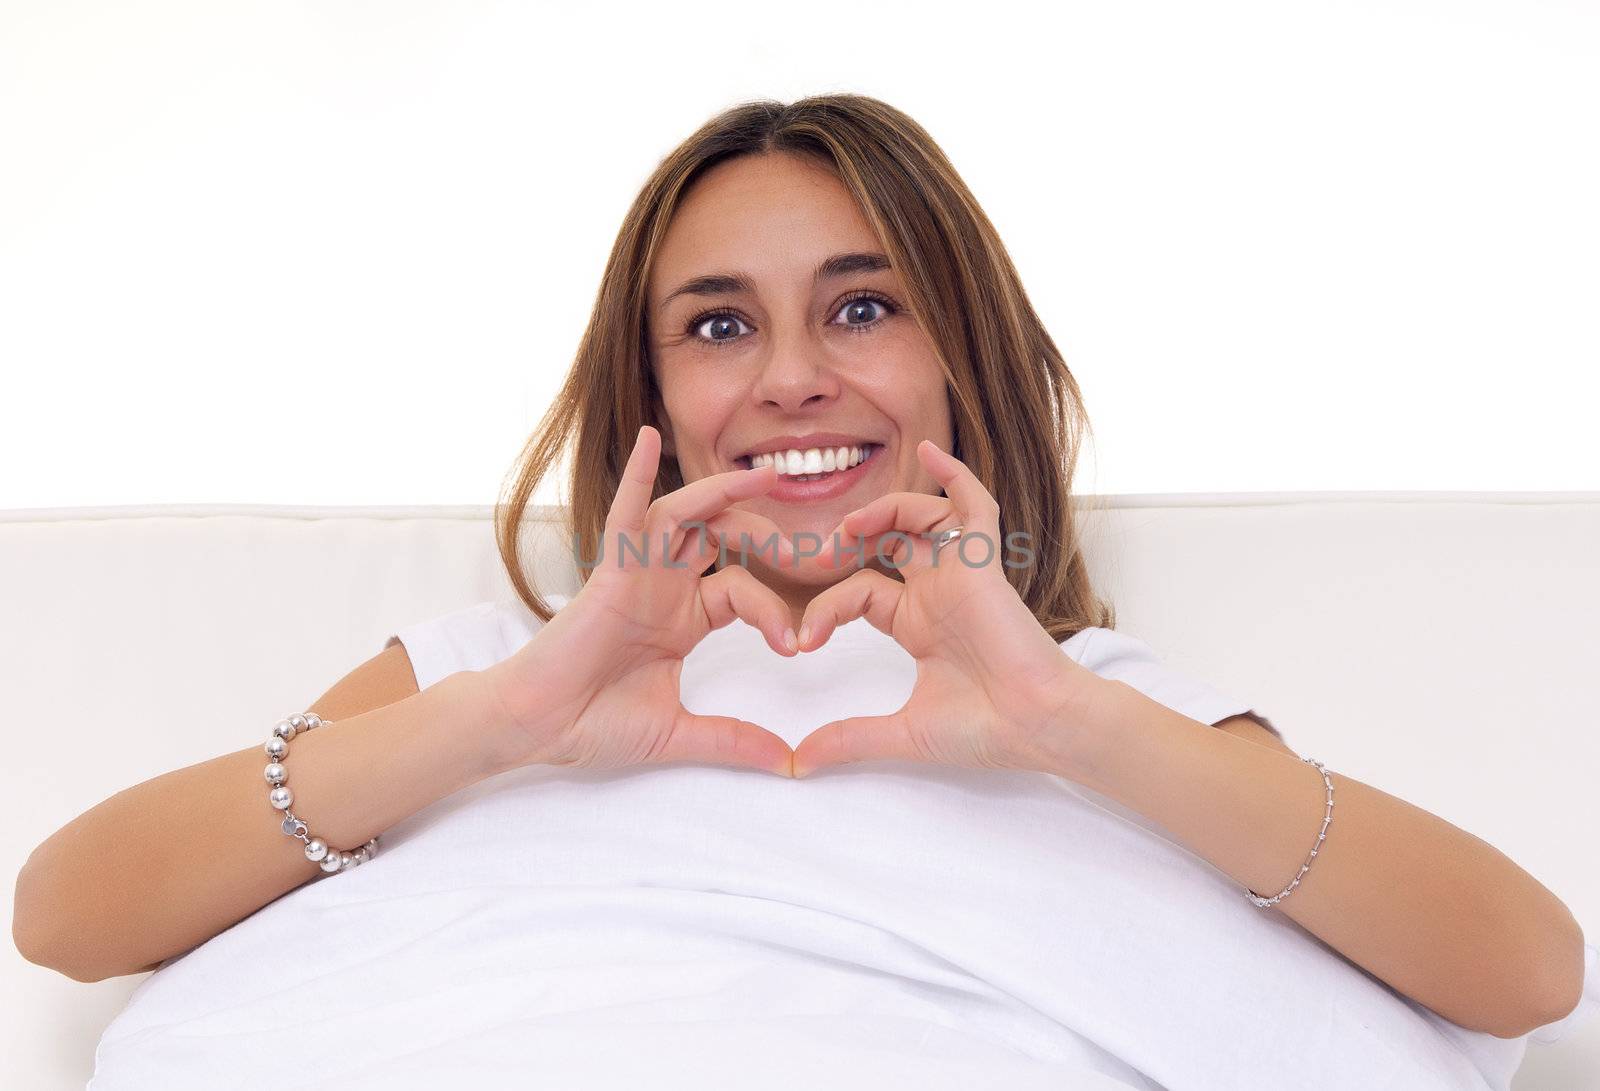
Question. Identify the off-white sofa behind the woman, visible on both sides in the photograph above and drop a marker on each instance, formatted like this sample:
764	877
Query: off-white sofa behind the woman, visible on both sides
1438	645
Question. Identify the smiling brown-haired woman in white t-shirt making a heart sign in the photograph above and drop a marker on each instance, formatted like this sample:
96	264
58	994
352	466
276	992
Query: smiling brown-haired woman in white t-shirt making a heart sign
999	841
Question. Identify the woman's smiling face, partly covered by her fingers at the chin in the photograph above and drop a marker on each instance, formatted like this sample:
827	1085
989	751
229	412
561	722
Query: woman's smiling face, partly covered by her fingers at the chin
778	330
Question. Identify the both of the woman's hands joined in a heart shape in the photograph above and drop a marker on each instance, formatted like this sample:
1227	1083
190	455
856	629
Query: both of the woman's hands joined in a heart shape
598	687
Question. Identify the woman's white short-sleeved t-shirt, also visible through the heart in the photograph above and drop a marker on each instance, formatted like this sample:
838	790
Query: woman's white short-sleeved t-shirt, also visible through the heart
700	927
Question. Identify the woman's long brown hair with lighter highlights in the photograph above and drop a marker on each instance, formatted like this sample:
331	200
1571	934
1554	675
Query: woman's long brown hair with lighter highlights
1015	406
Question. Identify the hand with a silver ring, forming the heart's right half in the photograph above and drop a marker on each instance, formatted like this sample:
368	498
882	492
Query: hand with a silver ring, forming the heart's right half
993	689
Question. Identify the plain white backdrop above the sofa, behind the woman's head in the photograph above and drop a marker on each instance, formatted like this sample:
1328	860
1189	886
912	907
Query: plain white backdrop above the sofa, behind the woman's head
342	254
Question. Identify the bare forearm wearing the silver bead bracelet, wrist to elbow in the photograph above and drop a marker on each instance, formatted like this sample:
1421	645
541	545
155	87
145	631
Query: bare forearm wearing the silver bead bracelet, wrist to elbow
170	863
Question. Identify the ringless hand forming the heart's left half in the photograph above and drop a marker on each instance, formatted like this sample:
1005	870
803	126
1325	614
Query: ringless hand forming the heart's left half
598	687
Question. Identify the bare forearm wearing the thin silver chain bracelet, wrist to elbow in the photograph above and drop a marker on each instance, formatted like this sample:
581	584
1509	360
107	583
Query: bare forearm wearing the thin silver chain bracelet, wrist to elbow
1422	905
